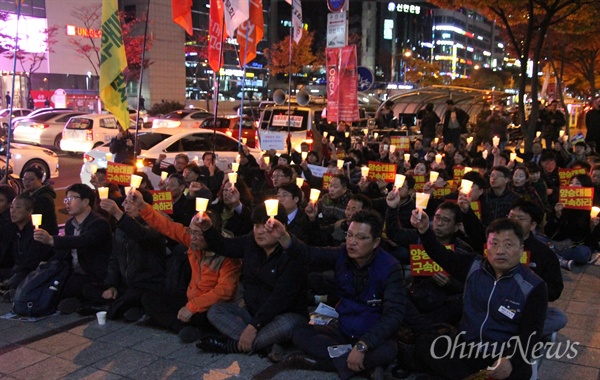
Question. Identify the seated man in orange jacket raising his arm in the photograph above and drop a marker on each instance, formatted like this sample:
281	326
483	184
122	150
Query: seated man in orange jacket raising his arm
214	278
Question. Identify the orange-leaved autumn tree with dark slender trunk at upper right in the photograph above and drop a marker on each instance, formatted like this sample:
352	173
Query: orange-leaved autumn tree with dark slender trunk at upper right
526	24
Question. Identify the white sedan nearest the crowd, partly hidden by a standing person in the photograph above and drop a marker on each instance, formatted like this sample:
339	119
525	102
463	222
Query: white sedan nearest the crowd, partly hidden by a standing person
193	142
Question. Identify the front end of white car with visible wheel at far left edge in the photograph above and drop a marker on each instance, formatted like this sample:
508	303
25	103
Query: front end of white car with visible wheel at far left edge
24	156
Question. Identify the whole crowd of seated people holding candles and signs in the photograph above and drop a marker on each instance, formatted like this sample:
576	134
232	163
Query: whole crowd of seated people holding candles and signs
234	279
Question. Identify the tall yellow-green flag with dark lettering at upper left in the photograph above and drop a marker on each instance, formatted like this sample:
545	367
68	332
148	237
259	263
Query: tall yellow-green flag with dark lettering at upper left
112	63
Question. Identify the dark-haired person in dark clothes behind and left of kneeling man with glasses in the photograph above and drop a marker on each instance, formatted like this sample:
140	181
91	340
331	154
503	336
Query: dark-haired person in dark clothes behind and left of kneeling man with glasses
44	196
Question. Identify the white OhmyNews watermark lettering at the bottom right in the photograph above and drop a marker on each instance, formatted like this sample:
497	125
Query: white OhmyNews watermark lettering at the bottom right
512	347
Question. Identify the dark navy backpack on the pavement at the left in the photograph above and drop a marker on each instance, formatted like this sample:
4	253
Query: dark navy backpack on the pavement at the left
39	293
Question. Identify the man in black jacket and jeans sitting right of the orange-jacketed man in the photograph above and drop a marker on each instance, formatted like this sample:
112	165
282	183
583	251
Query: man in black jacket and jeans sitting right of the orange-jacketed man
274	289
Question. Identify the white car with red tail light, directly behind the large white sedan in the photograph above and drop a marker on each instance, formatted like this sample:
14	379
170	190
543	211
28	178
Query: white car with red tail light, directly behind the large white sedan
86	132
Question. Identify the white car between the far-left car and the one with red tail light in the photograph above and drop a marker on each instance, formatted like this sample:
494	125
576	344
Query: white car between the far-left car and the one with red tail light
43	129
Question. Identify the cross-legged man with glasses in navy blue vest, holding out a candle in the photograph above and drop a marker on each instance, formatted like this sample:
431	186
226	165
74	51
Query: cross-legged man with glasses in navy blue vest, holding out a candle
371	307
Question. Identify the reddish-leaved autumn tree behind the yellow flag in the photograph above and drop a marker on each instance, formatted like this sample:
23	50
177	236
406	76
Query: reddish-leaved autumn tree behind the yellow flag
132	28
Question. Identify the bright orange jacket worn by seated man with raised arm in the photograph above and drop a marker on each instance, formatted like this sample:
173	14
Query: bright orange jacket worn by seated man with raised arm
214	278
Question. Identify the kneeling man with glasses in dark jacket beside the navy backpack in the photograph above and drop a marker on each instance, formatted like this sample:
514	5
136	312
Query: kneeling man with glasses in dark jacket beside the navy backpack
87	244
